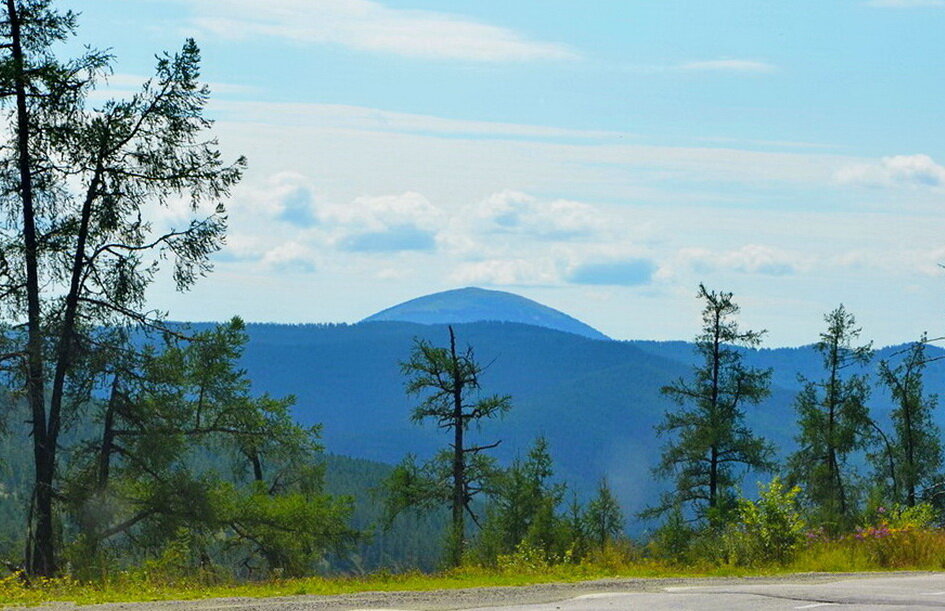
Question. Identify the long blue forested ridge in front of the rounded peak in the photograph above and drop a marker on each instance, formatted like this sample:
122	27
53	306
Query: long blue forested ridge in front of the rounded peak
597	402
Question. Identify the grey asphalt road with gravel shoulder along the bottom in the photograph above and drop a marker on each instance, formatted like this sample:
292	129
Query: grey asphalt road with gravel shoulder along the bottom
812	591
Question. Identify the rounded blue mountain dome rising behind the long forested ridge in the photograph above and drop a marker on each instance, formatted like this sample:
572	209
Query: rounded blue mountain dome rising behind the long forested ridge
473	304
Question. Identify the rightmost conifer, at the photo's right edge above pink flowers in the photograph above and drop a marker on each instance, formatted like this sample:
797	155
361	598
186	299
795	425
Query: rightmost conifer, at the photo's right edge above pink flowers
915	445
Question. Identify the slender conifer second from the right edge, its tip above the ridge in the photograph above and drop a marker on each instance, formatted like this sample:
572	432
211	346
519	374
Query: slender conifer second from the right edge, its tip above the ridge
834	421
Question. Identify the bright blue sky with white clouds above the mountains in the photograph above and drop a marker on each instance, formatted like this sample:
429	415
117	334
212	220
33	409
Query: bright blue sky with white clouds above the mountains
602	157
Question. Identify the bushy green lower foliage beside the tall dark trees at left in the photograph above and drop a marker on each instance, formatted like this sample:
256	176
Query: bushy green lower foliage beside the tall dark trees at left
139	482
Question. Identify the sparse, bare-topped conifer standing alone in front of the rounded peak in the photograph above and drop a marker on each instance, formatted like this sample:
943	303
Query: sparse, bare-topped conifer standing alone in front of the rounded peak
447	382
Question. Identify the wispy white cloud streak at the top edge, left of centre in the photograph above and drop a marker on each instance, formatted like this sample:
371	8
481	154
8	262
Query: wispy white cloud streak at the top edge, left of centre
370	26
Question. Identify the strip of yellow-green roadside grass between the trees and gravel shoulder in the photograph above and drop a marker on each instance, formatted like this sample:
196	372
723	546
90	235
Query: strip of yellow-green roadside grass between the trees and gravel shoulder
905	549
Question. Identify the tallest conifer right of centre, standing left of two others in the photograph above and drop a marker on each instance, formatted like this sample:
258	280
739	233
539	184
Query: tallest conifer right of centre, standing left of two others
710	439
